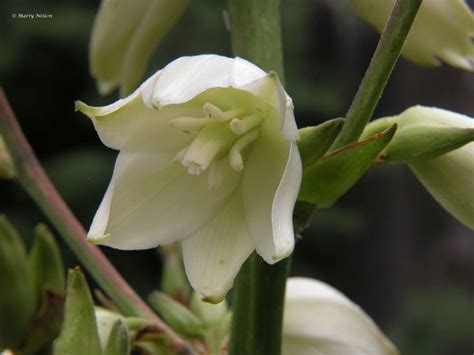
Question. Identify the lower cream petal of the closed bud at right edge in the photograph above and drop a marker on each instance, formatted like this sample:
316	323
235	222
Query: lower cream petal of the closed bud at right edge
450	180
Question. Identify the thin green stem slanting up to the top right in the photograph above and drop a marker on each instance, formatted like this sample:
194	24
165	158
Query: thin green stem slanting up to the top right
379	70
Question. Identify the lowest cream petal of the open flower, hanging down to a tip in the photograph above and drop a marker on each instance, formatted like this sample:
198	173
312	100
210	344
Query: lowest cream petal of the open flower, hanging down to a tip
214	254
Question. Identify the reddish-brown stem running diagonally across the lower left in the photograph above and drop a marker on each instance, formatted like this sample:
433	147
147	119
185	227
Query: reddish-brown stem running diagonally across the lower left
34	180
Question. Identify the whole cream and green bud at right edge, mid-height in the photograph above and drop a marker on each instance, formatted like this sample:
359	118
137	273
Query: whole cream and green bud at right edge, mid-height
437	146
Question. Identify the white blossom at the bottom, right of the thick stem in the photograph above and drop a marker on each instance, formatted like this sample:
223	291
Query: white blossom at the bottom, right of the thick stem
320	320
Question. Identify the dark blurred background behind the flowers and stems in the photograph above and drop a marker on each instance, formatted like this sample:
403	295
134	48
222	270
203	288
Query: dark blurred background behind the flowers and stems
386	244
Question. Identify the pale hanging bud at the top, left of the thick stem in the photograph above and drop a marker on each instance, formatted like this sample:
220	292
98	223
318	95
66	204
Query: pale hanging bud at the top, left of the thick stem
124	36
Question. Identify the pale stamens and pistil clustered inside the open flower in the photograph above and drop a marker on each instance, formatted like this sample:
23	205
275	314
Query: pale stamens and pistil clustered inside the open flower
220	134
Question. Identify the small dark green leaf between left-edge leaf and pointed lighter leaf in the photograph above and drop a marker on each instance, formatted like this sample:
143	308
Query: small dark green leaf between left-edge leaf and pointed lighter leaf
46	265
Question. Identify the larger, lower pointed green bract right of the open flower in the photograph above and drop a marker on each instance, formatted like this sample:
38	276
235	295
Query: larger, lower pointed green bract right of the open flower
329	178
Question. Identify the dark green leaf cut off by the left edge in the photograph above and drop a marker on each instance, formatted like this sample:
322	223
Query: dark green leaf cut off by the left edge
16	287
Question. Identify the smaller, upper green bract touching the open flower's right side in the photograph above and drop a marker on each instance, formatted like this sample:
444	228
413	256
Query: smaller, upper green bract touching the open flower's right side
316	140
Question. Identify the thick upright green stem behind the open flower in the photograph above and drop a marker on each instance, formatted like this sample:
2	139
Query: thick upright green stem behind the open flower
259	289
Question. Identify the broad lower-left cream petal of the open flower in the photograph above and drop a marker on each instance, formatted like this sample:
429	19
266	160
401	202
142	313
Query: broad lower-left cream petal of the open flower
152	201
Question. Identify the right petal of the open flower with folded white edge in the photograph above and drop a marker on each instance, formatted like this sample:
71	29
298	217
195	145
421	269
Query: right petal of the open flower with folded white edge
271	181
